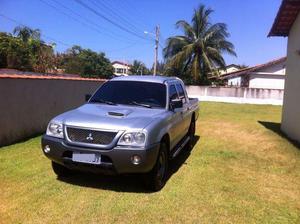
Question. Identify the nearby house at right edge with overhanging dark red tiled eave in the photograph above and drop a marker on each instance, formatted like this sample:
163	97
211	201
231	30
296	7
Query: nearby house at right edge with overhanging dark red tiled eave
287	23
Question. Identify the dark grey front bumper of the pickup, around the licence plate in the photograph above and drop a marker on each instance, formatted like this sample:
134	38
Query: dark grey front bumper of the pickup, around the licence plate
113	161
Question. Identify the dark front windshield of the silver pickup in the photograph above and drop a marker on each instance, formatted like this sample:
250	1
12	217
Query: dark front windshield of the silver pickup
144	94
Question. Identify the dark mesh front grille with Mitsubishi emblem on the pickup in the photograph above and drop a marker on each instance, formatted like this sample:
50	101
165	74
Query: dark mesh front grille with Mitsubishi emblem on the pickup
78	135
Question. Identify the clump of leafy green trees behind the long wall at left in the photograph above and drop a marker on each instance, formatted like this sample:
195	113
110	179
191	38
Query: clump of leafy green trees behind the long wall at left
26	51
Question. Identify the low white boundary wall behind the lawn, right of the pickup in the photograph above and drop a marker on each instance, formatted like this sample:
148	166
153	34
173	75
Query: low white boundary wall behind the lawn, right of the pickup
236	95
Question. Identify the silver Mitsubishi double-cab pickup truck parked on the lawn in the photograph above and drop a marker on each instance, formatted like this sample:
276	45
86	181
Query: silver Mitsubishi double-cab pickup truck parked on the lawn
133	124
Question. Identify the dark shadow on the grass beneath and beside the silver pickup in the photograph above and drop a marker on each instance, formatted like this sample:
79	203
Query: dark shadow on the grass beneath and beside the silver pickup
125	183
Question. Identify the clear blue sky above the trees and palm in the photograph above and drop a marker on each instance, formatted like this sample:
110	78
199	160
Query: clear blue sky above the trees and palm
248	21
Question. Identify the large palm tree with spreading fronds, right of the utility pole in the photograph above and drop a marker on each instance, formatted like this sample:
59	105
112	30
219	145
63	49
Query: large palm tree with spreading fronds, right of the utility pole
201	47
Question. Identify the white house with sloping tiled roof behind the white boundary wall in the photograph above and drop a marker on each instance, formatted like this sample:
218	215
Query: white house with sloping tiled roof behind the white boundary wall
270	75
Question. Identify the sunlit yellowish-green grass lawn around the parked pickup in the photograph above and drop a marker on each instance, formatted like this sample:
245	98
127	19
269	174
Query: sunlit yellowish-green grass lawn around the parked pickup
239	171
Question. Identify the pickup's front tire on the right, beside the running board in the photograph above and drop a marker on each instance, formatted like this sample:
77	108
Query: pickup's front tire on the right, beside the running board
156	178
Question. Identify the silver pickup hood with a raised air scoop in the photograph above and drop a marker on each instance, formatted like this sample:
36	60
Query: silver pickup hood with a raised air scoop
101	116
